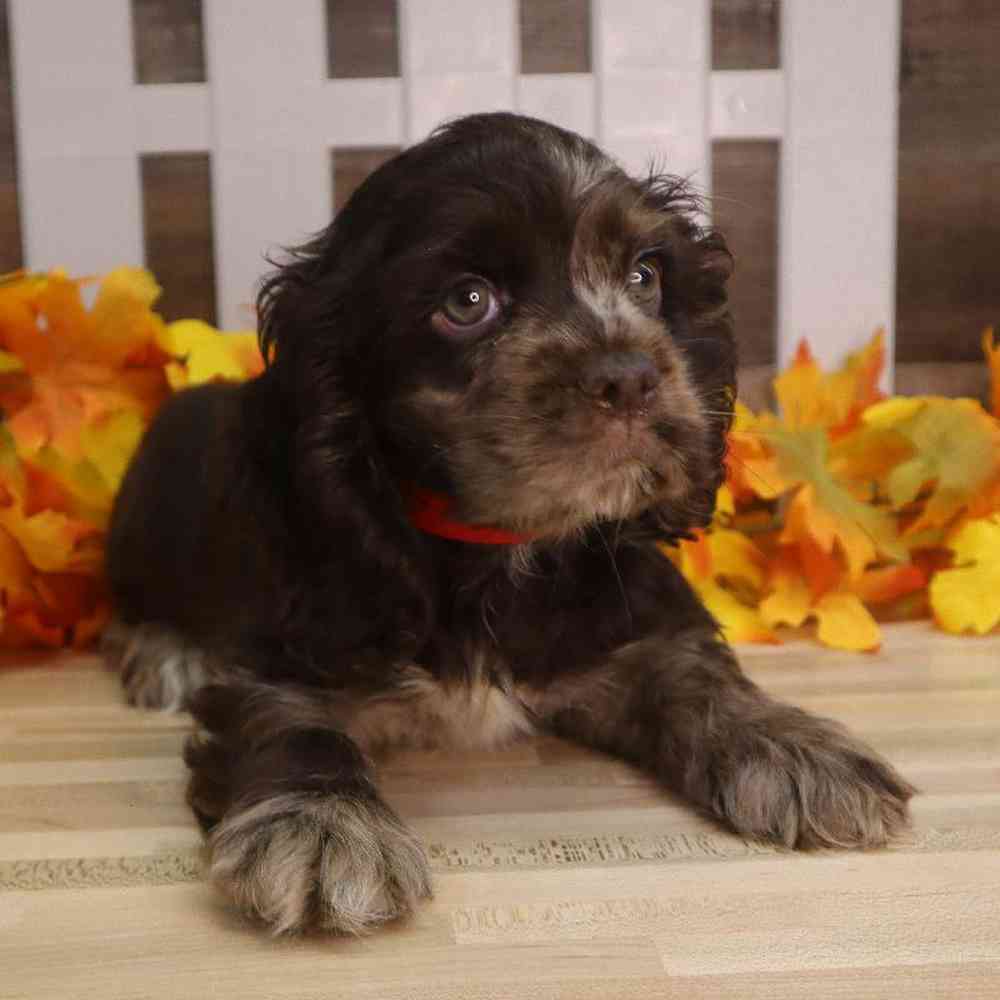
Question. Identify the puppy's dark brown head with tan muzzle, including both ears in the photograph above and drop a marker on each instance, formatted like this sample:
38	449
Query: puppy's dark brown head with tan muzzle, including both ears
502	314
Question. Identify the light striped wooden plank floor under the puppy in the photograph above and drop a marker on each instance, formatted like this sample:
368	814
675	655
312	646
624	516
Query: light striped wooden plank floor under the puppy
559	874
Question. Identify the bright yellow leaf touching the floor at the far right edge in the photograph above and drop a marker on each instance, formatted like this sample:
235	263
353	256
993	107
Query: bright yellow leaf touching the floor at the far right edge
967	597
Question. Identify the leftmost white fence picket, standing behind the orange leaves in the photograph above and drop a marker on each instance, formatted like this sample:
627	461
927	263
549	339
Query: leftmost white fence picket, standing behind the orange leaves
78	174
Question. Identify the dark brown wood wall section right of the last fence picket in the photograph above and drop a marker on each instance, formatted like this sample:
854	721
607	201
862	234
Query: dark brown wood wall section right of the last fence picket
948	286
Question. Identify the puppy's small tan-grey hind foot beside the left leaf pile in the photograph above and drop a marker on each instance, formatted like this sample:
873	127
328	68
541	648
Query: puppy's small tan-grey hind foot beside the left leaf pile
158	668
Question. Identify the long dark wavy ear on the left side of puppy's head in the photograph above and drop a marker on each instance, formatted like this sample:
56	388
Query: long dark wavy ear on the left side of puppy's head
319	333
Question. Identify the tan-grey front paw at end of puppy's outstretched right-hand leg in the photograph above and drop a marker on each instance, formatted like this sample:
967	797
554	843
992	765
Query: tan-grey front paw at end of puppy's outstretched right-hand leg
806	782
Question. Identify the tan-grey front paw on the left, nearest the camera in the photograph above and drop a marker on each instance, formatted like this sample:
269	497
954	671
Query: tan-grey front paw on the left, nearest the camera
337	863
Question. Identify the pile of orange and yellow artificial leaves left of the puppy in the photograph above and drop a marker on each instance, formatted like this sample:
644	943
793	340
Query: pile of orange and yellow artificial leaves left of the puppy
78	387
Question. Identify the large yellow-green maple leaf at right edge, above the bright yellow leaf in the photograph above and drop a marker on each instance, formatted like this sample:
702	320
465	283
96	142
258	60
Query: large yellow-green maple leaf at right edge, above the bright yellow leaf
955	449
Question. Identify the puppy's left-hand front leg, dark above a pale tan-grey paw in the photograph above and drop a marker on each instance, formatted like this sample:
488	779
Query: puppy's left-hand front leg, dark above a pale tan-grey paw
297	834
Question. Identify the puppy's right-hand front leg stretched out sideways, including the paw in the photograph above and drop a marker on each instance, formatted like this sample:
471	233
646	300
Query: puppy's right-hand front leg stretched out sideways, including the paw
681	708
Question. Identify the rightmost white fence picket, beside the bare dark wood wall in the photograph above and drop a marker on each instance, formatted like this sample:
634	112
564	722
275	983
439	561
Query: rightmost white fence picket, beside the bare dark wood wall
837	246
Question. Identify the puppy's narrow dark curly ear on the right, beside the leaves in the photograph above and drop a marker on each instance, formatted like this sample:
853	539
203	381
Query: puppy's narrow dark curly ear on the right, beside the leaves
696	309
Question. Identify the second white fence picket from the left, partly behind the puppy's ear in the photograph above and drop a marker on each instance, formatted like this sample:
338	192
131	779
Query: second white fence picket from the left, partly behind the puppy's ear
270	176
